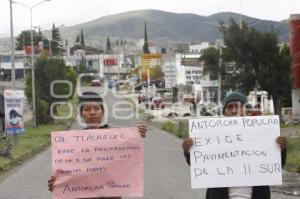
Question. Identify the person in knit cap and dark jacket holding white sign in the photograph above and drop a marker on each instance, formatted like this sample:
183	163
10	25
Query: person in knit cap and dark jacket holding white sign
234	106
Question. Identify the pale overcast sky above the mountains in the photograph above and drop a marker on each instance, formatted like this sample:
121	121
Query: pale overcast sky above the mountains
70	12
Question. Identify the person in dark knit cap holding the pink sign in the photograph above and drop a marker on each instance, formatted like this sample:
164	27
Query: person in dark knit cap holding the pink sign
92	112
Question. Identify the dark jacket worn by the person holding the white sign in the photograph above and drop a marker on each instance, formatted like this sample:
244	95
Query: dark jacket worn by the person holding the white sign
258	192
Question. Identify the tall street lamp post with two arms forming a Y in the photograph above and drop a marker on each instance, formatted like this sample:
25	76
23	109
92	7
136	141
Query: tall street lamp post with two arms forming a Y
32	59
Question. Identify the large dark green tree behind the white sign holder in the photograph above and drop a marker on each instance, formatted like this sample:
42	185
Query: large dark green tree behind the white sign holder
259	60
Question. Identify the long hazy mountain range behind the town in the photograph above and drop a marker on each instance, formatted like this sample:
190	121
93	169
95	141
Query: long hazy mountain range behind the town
164	27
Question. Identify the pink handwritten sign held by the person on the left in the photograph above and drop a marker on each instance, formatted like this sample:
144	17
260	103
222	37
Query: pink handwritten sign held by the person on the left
97	163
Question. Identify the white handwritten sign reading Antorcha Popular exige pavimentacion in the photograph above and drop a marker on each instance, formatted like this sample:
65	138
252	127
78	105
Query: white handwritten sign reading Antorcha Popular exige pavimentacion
235	151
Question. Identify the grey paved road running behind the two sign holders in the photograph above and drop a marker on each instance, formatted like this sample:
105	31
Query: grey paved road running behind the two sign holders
166	173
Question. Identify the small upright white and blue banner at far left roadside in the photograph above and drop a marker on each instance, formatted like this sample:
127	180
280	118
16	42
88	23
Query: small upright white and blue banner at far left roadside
14	102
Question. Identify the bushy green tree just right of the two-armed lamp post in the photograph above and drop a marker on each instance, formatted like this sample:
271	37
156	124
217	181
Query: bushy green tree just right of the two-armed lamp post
48	70
